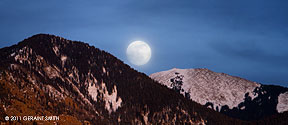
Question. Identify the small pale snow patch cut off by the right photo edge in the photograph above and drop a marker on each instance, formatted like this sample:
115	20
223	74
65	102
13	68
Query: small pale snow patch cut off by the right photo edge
282	105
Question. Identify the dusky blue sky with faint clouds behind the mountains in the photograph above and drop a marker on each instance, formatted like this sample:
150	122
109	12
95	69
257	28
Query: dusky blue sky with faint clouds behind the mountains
245	38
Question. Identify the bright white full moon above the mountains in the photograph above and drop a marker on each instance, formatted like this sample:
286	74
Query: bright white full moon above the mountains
138	53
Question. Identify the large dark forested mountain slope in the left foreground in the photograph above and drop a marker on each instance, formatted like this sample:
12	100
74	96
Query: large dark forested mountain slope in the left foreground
48	75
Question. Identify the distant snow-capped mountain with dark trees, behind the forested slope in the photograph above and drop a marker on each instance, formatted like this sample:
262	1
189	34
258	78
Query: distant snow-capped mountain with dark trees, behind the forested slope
227	94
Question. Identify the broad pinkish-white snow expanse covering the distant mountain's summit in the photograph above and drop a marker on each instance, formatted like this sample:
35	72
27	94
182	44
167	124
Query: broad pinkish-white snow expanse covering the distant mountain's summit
206	86
